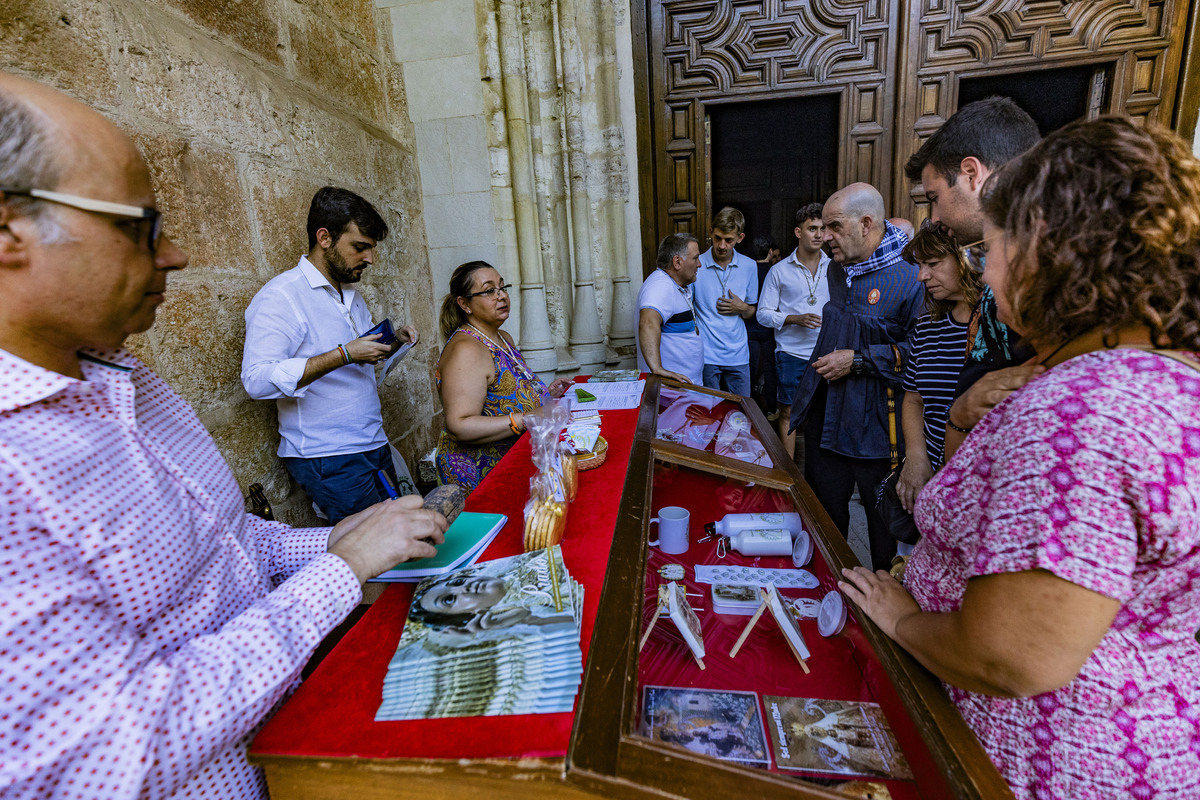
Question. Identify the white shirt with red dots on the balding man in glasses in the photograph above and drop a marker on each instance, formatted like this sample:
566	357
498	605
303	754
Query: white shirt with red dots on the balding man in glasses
141	642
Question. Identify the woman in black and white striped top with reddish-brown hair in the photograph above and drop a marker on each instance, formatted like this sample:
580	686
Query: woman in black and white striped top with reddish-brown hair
939	348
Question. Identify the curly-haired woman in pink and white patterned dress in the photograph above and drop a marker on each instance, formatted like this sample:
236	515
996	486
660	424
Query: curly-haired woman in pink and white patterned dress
1057	590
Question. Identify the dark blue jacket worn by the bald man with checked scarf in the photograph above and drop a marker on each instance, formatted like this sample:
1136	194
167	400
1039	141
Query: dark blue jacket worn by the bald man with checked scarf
856	420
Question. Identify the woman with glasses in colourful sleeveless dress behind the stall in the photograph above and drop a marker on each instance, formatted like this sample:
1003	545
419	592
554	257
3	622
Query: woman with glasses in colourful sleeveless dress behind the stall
485	384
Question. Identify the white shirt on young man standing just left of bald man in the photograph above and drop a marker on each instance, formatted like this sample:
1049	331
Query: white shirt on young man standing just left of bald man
785	292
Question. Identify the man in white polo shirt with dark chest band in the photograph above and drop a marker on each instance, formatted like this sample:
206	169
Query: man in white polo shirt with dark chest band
668	341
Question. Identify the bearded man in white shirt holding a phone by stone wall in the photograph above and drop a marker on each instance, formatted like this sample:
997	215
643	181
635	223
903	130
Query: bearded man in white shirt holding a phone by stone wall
310	350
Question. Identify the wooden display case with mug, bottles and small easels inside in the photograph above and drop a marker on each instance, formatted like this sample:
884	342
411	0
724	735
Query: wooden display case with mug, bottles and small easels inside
838	712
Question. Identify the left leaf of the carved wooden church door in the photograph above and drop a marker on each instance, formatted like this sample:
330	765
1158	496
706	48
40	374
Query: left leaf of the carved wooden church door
710	52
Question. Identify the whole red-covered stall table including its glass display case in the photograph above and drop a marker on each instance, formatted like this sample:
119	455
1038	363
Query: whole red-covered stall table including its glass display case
651	721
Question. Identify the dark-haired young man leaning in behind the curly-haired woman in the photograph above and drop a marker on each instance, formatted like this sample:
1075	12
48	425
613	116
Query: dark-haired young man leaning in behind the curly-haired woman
953	166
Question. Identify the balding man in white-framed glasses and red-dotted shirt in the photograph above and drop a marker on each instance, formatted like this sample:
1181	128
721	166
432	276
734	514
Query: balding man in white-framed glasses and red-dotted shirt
141	640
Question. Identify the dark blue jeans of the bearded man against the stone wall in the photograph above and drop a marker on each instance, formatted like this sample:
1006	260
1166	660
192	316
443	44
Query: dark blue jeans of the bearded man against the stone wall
344	485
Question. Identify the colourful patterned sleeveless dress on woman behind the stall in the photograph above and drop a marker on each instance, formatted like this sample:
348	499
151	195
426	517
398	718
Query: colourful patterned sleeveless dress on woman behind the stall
514	389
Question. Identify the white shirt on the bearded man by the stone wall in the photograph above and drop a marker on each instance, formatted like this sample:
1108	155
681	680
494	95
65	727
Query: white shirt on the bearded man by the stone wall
295	317
